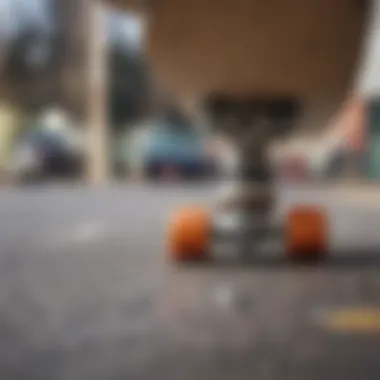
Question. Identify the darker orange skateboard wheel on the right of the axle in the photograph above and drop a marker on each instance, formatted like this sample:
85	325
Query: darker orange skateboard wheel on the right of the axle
306	233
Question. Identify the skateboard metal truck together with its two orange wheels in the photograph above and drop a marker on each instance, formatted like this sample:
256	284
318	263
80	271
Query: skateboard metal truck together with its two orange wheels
303	232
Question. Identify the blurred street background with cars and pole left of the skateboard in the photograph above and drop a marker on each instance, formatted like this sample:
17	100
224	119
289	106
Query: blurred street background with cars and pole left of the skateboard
59	91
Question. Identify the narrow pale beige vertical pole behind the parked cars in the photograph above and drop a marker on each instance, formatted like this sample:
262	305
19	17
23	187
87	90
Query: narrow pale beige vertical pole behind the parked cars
97	119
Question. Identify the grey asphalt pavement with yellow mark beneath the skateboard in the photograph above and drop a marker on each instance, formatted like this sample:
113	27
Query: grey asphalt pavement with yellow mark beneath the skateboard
87	293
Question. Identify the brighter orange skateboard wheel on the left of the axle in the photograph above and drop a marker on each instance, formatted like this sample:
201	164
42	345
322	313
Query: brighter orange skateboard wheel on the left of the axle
190	234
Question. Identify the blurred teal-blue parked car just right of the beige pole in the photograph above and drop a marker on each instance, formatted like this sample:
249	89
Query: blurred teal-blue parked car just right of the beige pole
165	148
